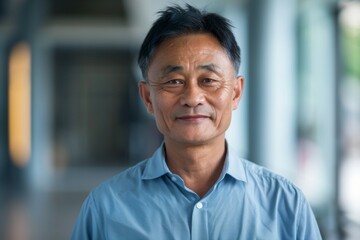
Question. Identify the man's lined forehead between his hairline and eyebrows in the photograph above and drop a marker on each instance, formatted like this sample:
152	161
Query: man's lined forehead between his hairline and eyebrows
190	51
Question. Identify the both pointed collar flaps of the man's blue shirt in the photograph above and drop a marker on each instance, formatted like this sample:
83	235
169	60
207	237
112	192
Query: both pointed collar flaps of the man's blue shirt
157	167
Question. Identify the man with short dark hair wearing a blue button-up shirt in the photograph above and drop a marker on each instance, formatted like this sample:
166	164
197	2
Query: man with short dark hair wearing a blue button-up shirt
194	186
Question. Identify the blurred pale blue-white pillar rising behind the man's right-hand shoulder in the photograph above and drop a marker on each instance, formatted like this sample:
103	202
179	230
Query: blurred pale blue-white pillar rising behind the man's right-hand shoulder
272	82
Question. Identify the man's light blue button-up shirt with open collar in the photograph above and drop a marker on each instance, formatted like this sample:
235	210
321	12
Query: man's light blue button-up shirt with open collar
147	201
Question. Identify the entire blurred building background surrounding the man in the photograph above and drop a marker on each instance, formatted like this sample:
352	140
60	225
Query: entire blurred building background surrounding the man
70	115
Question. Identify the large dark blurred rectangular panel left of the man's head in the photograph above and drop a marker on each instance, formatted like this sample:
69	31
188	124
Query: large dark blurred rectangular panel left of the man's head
97	109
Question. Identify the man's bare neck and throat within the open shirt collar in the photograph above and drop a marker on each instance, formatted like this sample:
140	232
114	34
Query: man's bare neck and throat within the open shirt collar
199	166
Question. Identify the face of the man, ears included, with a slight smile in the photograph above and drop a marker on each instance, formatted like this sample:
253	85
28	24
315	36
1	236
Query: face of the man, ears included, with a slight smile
191	89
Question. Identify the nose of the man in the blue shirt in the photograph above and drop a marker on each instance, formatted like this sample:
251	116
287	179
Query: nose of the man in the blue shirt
192	95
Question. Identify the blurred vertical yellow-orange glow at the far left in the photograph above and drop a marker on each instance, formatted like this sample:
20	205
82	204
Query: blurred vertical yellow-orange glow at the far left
20	104
